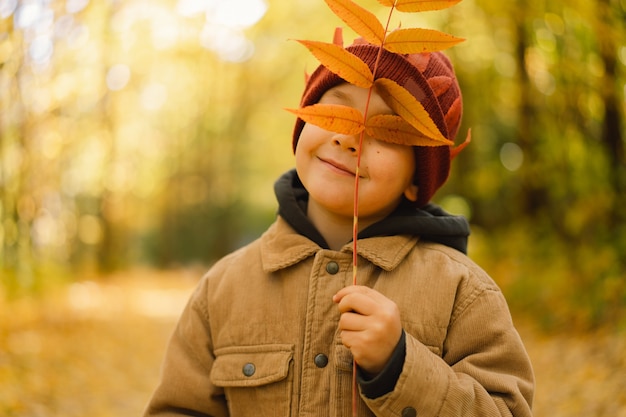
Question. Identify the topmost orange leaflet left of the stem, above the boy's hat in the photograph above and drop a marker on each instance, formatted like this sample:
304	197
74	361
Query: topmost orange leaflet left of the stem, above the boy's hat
359	19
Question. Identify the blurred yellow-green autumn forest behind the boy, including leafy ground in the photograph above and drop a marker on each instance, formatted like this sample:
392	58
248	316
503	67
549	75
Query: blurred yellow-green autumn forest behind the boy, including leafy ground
146	135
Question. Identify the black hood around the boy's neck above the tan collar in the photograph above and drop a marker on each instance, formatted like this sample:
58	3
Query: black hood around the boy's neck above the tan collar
430	222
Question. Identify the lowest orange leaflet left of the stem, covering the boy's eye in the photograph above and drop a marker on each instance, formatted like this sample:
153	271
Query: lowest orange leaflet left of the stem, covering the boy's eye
332	117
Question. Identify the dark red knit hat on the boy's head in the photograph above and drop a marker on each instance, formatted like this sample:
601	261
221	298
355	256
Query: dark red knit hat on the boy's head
431	80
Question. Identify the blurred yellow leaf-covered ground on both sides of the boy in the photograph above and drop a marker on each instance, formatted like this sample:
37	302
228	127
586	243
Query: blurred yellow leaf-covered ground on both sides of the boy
94	349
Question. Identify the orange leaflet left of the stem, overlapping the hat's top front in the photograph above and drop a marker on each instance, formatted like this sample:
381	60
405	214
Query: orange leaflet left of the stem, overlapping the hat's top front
341	62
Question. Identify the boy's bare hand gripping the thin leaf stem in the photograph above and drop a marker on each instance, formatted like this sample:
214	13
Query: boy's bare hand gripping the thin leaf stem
370	326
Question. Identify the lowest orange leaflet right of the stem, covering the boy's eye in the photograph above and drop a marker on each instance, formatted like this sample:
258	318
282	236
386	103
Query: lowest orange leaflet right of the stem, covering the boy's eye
394	129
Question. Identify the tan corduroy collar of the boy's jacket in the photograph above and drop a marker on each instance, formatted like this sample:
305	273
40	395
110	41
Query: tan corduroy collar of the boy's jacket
282	247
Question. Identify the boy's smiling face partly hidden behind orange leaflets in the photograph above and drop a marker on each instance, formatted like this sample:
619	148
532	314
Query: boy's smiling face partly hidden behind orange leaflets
326	163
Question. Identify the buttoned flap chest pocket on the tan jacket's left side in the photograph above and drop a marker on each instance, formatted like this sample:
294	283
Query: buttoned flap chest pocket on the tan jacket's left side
256	379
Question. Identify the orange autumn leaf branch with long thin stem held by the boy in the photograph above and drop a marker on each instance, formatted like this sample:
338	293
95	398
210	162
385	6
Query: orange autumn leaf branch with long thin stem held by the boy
411	124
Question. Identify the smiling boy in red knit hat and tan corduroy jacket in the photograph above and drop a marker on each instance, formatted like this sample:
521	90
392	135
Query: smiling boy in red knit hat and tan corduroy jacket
273	328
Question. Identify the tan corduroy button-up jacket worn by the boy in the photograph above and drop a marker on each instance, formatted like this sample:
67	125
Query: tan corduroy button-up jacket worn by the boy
259	335
